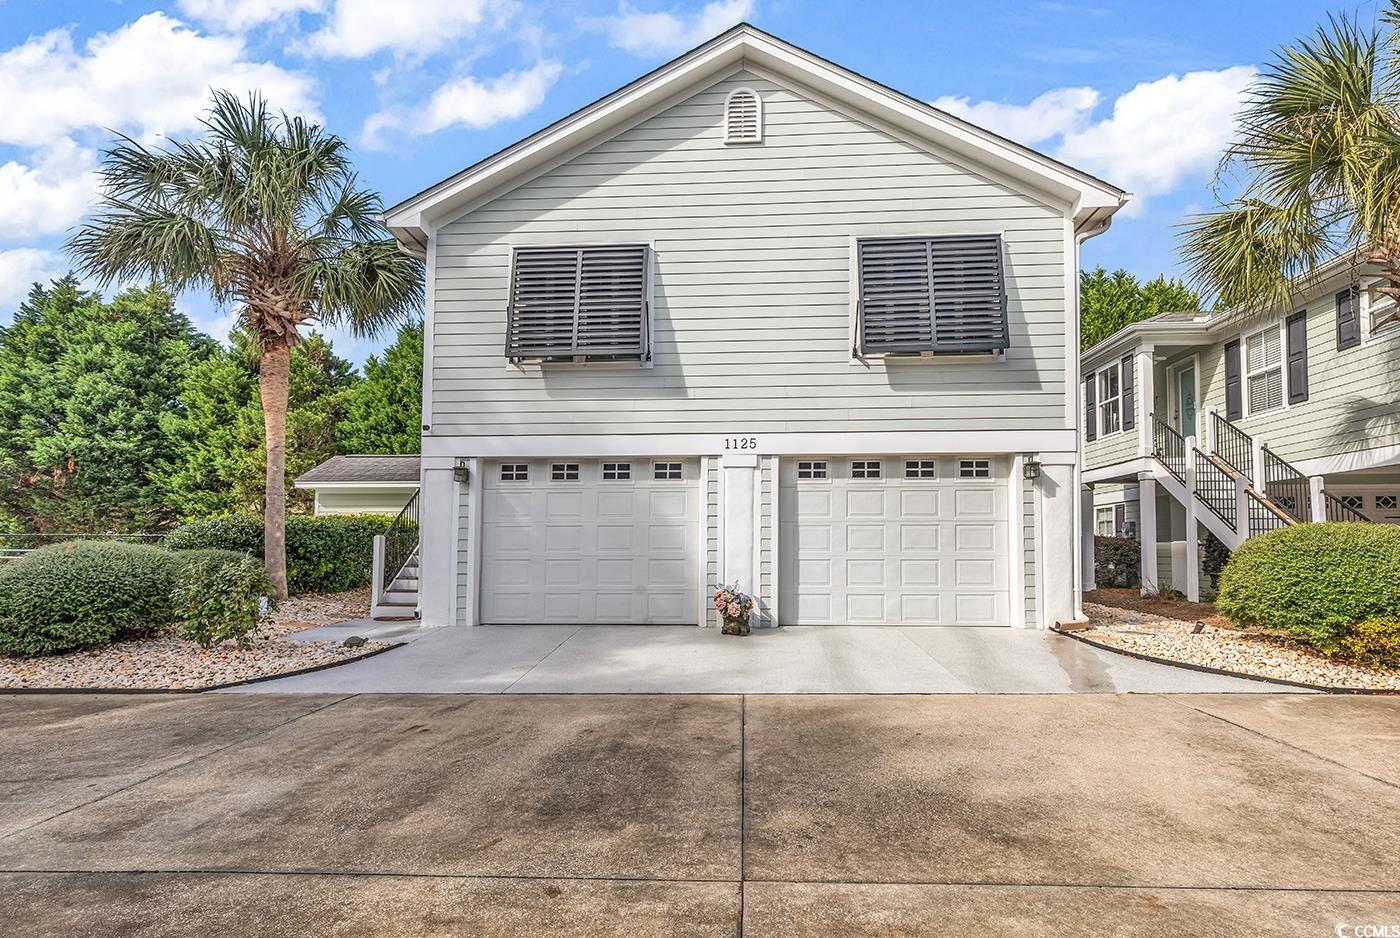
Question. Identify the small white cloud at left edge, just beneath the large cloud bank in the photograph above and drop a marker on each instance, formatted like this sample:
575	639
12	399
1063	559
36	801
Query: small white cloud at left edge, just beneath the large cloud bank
48	197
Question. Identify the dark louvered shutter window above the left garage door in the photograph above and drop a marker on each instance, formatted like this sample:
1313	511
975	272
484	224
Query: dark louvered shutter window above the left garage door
579	303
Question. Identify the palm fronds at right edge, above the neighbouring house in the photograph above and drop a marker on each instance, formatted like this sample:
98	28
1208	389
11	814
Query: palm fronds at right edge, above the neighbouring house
1317	167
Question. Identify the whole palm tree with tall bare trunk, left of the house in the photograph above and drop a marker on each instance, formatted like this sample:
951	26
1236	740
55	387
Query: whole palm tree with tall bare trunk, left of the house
265	212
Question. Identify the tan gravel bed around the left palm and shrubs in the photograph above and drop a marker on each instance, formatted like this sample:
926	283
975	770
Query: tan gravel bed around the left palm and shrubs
166	663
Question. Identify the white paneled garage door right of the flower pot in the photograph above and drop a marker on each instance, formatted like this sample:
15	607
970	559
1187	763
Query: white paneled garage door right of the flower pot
894	541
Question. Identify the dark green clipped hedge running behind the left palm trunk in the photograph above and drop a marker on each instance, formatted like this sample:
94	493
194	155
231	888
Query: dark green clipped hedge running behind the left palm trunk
325	554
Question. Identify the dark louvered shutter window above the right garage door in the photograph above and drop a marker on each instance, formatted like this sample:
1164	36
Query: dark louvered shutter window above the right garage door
932	296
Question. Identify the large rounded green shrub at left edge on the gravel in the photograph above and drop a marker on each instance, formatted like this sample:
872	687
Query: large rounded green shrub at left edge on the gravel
83	594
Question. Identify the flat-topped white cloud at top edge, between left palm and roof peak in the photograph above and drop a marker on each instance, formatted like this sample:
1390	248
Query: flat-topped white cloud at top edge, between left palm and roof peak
358	29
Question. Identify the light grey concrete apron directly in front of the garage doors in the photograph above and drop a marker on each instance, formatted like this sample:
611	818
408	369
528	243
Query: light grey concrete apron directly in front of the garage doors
689	660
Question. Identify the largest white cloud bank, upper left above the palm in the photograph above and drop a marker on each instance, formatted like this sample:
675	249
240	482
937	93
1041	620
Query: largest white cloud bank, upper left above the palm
150	76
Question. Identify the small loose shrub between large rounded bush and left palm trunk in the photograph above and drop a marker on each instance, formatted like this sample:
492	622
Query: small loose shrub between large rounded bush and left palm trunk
219	597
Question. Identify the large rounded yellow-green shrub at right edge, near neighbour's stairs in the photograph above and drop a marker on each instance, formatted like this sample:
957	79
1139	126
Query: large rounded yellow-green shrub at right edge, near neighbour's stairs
1314	580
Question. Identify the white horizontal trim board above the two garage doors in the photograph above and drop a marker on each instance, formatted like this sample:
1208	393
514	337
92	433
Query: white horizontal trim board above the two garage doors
1053	446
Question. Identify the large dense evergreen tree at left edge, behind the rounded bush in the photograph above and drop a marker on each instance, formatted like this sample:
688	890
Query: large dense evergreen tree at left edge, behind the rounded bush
83	390
